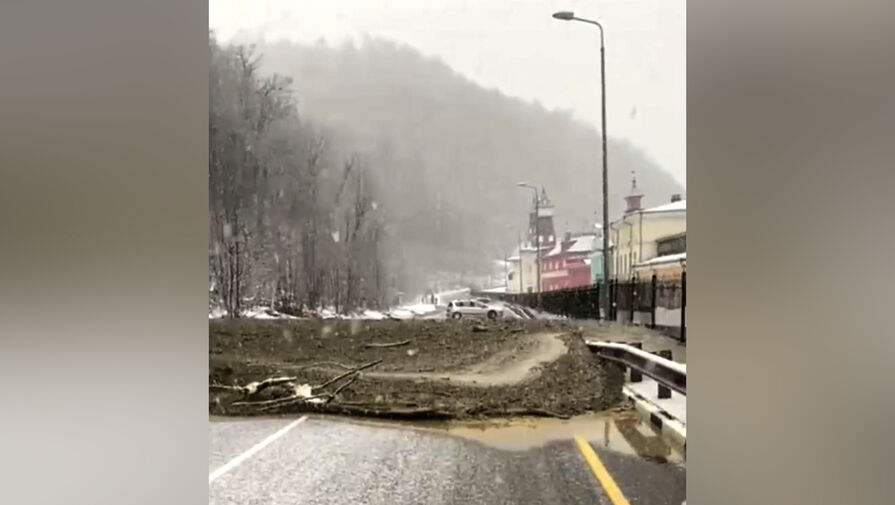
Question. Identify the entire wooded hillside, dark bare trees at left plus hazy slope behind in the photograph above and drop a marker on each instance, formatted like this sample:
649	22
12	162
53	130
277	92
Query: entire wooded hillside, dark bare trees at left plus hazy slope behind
343	175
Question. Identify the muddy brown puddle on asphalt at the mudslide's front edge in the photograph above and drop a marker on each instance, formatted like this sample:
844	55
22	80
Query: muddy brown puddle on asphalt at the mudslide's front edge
617	431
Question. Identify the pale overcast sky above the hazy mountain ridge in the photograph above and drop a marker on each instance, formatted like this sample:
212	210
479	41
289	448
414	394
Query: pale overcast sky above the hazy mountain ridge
515	46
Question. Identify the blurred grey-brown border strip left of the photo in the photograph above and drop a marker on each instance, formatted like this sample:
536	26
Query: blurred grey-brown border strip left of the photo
103	281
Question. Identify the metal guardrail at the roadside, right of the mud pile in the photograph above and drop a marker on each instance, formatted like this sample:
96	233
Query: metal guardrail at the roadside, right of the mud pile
665	371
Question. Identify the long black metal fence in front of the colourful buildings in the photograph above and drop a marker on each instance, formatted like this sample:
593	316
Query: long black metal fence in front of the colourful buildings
654	303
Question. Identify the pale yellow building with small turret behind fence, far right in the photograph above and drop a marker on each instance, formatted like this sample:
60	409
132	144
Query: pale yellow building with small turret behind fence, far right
636	237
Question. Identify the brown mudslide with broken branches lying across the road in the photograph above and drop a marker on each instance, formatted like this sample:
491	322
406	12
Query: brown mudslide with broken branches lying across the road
428	369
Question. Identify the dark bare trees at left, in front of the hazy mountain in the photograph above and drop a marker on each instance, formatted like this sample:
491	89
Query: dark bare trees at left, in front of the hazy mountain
294	218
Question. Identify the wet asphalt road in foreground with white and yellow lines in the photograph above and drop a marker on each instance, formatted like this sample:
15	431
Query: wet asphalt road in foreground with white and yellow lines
331	460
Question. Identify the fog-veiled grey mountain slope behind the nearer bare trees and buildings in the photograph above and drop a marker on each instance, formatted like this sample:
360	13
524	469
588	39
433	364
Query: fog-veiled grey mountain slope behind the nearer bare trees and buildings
451	152
